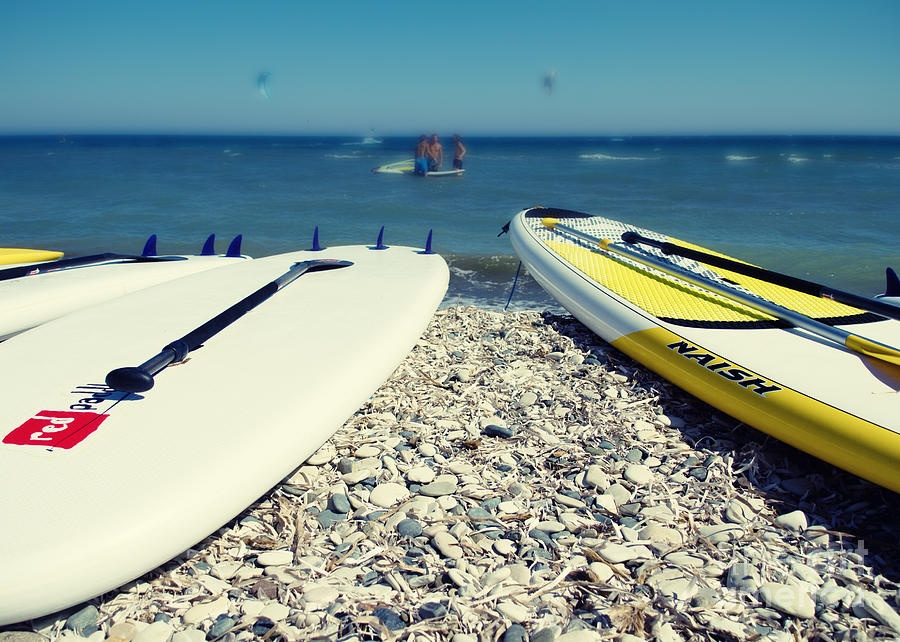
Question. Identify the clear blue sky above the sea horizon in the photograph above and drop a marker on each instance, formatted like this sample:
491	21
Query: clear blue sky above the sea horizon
623	67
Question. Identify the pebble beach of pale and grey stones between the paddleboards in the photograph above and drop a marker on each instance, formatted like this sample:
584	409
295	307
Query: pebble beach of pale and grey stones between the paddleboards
517	479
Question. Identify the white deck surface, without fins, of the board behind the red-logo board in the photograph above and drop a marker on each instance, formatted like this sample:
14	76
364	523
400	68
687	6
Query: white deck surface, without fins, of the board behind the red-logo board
28	301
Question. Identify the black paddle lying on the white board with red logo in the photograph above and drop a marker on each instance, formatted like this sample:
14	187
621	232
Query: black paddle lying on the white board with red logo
140	378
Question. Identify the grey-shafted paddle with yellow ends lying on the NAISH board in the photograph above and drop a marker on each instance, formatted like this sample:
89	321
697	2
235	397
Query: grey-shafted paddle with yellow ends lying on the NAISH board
849	340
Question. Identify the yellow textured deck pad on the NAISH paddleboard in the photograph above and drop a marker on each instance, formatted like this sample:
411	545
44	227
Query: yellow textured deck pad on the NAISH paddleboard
667	298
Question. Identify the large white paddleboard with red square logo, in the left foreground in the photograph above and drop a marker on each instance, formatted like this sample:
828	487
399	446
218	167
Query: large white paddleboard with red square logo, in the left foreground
104	485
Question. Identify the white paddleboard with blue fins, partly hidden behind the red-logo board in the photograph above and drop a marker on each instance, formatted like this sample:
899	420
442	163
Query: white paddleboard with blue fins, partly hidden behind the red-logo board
36	294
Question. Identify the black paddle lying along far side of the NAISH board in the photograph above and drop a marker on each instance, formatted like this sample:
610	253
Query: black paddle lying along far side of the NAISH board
794	283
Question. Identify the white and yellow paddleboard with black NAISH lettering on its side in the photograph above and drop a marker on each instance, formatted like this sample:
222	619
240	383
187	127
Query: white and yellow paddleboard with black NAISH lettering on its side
815	394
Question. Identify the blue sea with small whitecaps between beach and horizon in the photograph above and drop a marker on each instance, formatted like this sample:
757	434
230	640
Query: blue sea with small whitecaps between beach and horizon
821	208
